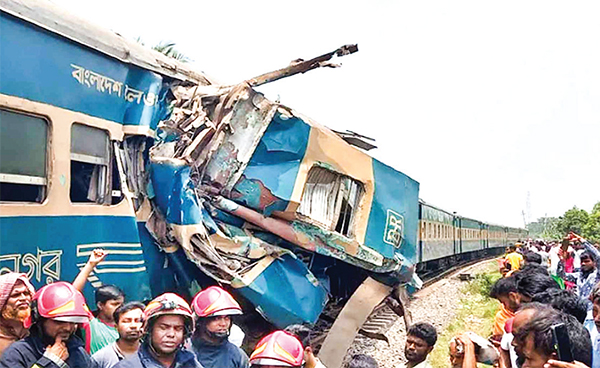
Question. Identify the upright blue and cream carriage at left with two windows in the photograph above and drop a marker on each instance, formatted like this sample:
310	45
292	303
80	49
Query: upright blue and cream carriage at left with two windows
70	93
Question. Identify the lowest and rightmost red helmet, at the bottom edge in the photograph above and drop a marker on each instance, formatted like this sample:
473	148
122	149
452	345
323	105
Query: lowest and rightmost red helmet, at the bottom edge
280	349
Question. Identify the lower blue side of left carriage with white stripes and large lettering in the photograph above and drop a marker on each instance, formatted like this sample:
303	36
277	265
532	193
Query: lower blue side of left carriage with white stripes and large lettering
32	250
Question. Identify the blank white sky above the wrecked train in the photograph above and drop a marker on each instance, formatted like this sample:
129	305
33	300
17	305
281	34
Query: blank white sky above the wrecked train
488	105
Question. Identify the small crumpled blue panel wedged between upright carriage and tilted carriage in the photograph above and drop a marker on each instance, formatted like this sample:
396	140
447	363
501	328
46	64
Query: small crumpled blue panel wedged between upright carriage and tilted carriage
174	193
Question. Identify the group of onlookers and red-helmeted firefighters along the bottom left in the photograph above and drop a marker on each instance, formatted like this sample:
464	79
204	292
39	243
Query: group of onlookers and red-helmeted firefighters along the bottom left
54	328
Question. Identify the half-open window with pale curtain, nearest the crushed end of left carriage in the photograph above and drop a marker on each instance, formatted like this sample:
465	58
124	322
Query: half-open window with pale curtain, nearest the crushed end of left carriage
90	165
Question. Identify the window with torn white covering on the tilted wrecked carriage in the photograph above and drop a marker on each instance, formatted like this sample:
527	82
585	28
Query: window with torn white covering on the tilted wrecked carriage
331	199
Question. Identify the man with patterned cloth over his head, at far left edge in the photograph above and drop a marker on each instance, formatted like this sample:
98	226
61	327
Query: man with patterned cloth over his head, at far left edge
15	296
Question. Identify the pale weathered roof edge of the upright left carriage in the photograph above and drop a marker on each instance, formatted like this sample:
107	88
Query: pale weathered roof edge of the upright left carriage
49	16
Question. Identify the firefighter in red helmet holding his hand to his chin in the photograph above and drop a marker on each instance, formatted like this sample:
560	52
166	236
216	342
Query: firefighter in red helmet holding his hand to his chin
56	311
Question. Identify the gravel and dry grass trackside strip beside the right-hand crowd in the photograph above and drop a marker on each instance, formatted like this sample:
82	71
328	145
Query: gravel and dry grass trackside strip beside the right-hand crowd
453	306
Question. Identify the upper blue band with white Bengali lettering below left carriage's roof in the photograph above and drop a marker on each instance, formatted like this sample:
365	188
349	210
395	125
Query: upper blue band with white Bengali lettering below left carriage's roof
53	81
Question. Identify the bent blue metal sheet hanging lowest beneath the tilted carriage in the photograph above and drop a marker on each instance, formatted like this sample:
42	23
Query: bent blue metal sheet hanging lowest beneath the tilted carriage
286	292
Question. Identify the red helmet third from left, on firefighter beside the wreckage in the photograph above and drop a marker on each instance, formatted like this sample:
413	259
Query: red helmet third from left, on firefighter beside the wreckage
214	301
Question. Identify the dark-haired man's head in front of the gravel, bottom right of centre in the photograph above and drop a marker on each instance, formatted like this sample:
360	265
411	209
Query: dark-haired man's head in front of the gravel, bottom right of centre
420	340
